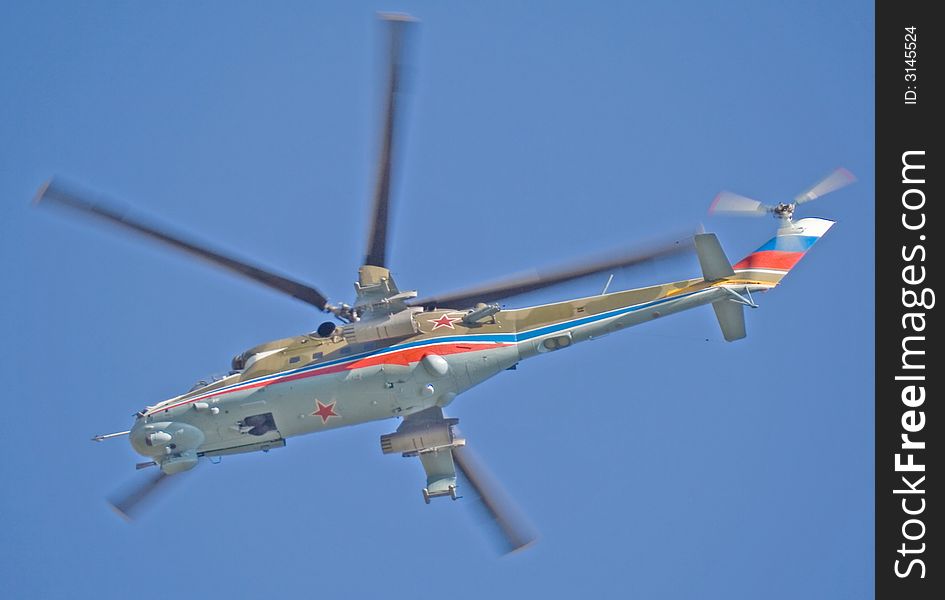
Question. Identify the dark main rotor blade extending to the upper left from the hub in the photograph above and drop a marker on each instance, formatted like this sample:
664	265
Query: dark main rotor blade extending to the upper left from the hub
56	193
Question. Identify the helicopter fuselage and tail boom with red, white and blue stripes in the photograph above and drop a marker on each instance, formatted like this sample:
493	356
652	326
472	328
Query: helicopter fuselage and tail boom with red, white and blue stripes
308	384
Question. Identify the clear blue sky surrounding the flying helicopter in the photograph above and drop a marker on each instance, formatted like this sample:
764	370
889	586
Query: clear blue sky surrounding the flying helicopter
659	462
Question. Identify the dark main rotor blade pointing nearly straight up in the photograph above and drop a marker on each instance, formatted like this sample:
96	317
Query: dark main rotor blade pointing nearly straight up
376	253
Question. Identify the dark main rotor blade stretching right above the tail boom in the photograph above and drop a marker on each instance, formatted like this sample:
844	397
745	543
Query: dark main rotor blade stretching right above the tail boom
515	285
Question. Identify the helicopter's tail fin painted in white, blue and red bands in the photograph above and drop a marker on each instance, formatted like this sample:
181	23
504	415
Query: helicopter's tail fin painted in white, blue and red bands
771	262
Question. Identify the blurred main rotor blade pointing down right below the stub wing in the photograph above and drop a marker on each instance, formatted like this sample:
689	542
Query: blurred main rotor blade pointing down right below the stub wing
515	534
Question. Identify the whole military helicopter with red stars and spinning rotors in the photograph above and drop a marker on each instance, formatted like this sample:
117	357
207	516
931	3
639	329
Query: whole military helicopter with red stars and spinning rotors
395	354
